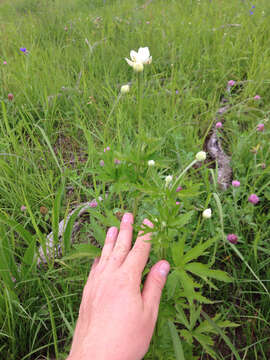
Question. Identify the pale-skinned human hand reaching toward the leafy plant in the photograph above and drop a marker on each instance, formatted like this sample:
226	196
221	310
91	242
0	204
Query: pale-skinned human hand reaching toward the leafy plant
116	319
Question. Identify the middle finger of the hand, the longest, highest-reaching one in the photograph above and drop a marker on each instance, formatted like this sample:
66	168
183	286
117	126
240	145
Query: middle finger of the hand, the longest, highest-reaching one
123	243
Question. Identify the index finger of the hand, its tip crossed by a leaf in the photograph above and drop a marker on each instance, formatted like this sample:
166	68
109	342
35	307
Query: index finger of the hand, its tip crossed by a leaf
139	254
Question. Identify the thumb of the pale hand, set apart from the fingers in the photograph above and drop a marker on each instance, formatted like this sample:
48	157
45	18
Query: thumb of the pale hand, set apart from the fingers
153	287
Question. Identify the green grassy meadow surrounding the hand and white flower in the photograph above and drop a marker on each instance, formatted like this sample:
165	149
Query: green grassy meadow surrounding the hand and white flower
66	109
